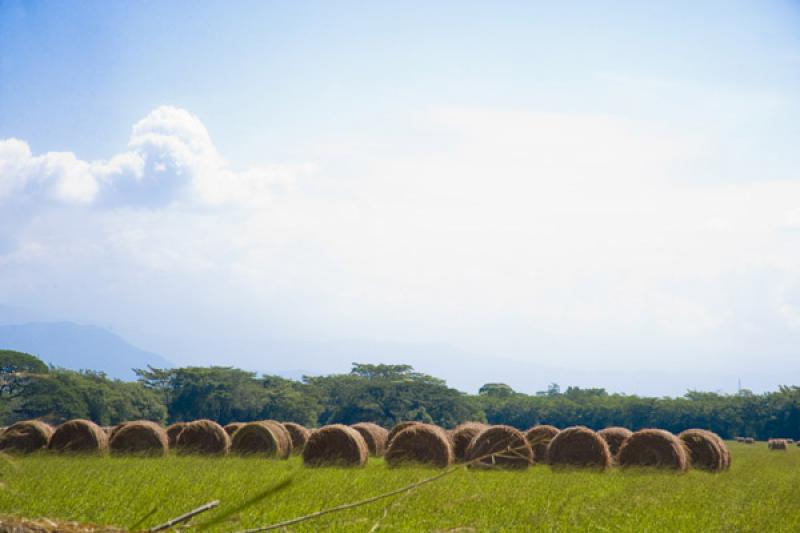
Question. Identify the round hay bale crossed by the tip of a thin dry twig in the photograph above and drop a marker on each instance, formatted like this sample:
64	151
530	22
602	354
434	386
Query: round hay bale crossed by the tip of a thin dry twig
500	447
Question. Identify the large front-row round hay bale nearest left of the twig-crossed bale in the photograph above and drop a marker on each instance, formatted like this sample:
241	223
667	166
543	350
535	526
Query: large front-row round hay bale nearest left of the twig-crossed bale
420	444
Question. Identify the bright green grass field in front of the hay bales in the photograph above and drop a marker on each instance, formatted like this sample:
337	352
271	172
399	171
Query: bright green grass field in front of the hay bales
761	492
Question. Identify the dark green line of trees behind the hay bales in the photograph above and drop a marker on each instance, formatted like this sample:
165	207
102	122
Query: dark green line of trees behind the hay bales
384	394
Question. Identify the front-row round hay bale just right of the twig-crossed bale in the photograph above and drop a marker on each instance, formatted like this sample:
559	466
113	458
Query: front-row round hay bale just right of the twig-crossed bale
578	446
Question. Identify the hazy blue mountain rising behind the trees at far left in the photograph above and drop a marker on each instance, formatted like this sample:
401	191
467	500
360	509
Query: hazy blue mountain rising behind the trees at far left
70	345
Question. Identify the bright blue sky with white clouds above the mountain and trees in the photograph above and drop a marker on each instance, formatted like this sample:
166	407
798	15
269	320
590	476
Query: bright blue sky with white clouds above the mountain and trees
574	191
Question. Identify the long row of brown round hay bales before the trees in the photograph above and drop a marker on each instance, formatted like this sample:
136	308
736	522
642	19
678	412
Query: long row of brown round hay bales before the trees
475	443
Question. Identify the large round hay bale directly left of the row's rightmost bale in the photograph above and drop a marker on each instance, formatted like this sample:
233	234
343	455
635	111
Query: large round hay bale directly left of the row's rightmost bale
656	448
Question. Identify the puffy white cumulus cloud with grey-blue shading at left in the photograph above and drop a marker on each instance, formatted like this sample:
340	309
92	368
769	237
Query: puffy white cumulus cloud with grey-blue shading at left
169	158
